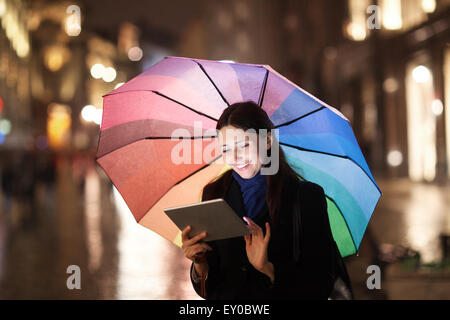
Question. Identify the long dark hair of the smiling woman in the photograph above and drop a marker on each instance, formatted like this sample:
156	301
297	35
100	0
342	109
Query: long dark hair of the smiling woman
249	115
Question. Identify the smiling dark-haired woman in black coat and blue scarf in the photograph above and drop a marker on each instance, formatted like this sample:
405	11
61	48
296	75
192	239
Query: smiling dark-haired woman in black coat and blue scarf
290	253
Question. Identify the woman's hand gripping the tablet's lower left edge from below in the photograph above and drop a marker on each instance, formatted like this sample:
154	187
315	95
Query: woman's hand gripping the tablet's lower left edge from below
194	249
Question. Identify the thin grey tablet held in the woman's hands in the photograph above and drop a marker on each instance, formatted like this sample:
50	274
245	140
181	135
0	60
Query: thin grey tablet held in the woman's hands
214	216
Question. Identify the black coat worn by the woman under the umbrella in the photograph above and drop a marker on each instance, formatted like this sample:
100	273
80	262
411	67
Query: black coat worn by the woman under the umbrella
231	276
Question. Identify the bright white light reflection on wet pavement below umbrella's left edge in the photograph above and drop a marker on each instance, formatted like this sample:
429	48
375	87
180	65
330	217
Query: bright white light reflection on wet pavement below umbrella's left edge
149	266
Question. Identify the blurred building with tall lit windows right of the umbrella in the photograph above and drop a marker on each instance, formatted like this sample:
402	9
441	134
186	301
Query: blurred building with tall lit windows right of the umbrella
390	76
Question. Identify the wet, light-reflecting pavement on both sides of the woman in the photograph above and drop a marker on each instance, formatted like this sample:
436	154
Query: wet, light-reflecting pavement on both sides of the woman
82	220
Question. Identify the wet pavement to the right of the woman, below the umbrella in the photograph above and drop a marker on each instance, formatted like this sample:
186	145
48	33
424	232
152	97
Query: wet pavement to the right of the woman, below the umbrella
411	215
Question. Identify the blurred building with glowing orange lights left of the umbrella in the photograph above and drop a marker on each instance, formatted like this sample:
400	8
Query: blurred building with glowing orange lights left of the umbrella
51	69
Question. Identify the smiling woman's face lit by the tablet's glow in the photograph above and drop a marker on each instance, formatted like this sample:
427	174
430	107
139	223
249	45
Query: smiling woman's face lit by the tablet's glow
240	150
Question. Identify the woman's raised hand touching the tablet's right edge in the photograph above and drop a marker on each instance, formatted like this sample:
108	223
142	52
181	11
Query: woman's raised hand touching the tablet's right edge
256	246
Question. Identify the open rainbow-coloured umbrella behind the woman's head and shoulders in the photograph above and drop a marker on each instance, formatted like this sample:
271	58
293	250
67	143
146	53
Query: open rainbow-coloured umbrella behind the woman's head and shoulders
136	149
